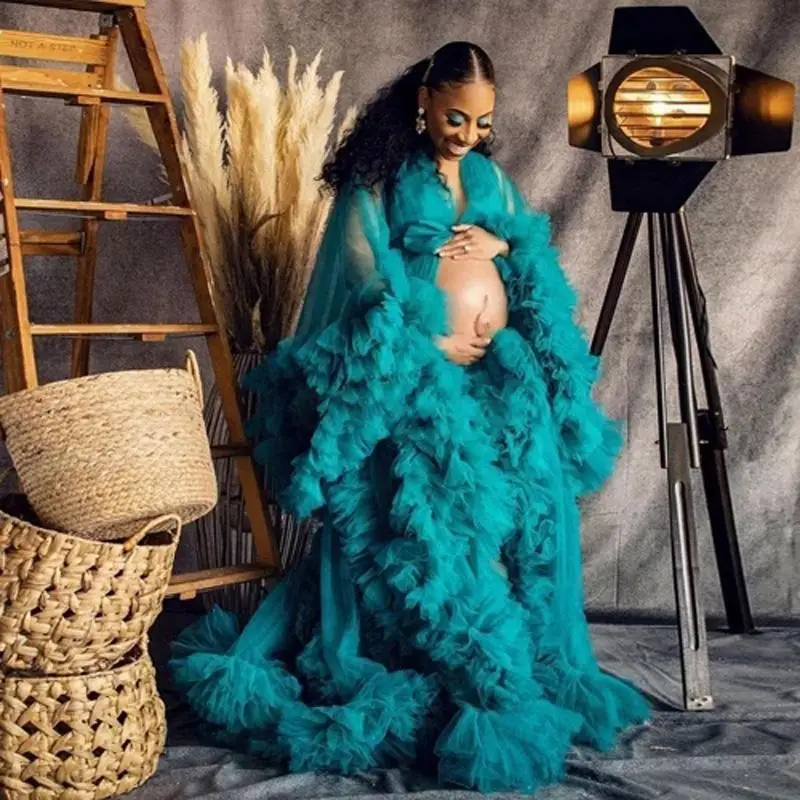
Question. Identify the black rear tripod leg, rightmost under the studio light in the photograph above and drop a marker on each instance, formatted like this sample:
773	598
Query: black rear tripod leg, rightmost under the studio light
713	443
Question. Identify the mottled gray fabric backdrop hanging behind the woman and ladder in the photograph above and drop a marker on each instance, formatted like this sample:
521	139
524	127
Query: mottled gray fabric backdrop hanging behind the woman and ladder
743	218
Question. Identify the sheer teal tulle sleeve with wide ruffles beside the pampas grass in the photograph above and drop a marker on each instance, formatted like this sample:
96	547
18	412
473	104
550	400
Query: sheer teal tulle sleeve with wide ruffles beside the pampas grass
329	394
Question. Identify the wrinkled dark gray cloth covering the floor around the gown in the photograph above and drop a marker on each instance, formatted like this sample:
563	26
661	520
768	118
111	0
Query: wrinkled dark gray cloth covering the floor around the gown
748	747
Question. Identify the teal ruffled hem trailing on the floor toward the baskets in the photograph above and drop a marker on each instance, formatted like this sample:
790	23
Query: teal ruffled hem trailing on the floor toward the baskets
259	705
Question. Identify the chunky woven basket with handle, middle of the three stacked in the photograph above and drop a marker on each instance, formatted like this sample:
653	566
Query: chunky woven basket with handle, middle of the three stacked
70	605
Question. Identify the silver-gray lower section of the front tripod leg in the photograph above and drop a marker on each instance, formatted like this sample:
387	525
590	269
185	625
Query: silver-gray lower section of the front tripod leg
686	574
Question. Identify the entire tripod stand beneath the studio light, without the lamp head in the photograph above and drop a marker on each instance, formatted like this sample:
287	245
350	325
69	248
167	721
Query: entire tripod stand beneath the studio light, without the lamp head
698	440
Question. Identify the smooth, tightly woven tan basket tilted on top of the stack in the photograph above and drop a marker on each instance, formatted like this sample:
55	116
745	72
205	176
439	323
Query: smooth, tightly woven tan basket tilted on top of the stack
103	455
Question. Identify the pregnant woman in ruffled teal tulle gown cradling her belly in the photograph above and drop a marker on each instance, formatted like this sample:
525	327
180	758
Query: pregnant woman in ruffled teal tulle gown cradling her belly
434	412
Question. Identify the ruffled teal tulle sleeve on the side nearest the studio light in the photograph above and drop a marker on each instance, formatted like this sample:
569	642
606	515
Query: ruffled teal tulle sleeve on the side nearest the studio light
542	306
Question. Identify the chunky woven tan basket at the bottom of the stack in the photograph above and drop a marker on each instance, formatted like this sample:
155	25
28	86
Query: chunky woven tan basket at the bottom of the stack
80	737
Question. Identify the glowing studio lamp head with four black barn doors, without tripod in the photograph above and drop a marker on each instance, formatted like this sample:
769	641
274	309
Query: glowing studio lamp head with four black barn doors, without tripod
666	94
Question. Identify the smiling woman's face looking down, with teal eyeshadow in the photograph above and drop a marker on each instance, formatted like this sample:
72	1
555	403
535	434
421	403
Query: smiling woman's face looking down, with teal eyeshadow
458	117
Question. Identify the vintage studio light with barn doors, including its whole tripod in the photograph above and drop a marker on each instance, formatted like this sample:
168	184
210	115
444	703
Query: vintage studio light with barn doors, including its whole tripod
663	107
